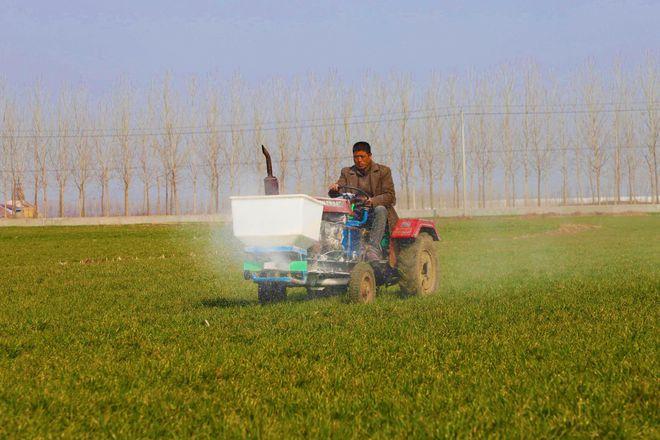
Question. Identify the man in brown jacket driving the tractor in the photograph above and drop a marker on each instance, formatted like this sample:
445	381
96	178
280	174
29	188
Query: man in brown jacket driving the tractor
375	180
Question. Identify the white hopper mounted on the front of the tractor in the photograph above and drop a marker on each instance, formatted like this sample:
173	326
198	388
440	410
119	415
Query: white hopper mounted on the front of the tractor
283	220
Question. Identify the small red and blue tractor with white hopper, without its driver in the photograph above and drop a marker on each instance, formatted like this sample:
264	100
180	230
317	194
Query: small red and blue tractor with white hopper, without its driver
319	243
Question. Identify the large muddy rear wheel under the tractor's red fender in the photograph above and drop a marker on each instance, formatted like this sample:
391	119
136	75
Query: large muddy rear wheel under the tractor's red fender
418	267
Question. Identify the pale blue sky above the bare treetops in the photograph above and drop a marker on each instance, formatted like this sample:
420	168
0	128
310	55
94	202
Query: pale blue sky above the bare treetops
96	41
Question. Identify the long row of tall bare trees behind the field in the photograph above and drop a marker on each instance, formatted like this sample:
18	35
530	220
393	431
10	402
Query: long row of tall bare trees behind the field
527	137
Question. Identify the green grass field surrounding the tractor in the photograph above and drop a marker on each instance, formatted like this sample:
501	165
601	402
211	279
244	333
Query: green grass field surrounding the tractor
543	326
